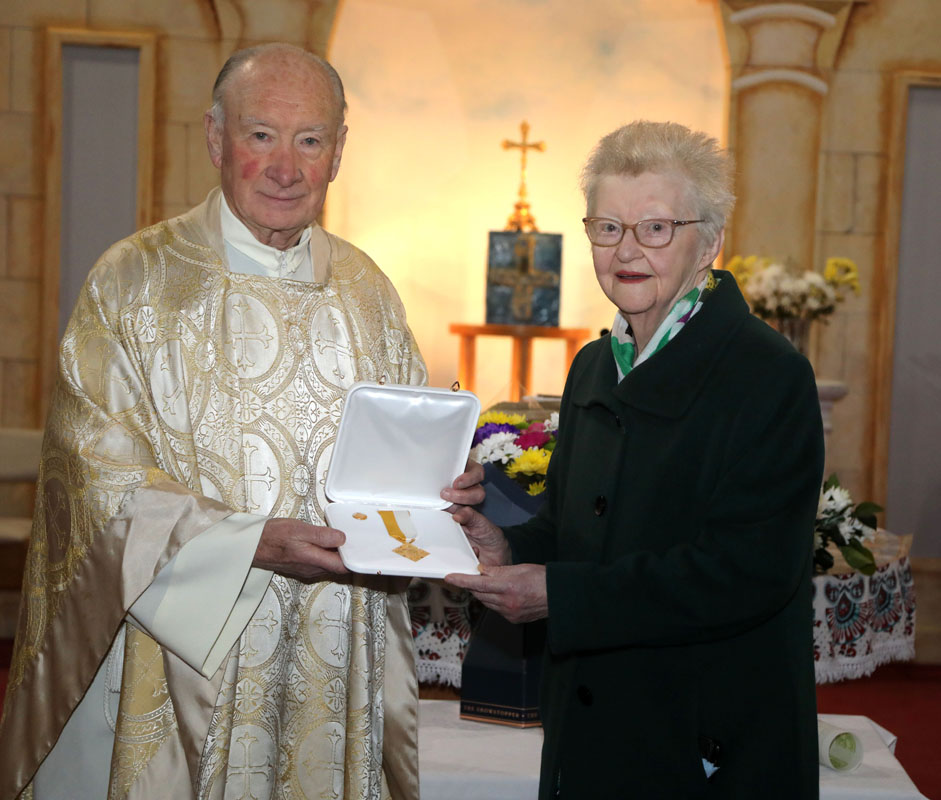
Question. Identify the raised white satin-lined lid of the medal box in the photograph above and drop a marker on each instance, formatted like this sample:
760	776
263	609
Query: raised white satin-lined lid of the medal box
401	445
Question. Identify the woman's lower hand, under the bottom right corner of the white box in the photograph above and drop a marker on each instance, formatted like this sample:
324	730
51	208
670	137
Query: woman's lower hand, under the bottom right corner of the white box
517	592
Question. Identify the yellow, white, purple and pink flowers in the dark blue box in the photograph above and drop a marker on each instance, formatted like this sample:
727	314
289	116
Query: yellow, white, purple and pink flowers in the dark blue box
521	448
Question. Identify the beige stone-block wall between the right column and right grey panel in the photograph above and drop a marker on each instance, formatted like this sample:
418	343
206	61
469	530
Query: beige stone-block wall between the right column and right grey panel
856	212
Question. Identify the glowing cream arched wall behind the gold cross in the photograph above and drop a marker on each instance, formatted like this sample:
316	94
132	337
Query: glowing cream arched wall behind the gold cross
424	176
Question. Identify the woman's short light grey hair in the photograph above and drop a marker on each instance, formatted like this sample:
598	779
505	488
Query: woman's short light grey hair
644	146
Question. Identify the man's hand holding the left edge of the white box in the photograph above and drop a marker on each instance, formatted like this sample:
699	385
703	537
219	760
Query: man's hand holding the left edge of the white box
299	550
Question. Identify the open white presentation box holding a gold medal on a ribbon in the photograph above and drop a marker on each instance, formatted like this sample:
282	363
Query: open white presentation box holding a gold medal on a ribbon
397	448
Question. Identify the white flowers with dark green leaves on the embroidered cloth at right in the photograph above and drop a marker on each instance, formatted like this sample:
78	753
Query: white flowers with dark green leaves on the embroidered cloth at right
845	525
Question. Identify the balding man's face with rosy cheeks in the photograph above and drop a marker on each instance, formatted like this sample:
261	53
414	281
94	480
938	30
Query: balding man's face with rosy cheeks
279	145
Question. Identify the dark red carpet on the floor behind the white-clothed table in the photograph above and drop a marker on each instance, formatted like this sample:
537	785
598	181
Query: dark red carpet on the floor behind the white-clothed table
903	698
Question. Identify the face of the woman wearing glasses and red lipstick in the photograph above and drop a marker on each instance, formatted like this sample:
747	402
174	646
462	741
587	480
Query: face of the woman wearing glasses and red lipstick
645	282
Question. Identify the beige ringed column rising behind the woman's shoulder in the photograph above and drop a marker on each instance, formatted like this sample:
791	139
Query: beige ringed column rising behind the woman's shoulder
781	56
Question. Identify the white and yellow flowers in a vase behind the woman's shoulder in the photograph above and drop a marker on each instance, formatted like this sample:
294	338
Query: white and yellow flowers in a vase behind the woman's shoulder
789	301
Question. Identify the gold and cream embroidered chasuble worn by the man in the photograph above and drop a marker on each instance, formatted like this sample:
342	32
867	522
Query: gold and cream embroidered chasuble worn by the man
191	398
